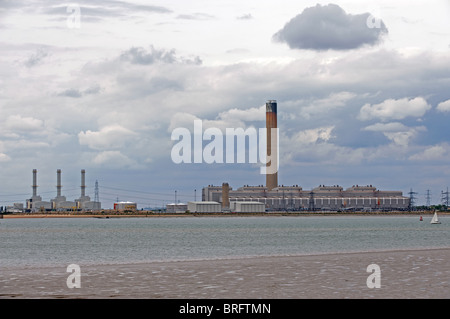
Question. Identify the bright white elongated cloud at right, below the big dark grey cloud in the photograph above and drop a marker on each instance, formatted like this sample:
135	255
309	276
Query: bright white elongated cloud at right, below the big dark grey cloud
395	109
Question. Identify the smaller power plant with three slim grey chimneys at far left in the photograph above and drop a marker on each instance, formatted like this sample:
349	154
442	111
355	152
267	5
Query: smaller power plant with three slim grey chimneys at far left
60	203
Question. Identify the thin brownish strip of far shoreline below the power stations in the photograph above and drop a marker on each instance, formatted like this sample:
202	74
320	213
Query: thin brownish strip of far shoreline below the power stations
140	214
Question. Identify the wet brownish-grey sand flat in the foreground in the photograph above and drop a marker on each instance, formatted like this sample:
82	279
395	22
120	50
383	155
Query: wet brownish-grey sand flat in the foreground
423	274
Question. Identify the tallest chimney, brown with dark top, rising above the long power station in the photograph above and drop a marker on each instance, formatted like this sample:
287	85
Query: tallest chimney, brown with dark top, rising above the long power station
272	148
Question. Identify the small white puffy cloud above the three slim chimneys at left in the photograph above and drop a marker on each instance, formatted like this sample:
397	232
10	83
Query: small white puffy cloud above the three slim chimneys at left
109	137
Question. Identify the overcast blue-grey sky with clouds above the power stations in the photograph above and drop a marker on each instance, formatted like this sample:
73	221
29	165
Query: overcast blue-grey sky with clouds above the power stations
363	91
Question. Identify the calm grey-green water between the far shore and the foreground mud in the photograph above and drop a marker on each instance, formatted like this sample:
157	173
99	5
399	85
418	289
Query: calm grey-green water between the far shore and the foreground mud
86	241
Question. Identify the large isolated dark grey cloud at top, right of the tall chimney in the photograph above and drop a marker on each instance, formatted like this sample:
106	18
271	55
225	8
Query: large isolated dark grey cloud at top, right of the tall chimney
330	27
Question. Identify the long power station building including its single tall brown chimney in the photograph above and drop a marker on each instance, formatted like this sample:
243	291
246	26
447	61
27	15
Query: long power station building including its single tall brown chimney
277	197
